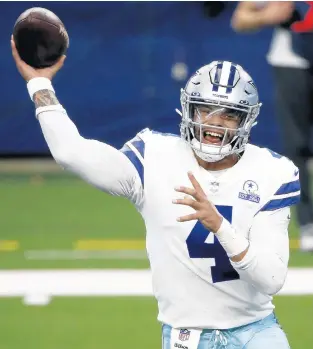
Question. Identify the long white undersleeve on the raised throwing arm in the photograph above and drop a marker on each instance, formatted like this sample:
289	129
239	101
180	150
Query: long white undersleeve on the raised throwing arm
97	163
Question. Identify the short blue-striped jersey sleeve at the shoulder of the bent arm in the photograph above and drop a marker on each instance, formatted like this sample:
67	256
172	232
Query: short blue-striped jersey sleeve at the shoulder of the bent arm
287	187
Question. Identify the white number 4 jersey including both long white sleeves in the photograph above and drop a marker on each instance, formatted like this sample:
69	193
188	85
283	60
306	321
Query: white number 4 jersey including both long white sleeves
194	281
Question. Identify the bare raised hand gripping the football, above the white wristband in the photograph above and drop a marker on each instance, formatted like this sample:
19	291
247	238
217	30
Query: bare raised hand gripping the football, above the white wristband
29	72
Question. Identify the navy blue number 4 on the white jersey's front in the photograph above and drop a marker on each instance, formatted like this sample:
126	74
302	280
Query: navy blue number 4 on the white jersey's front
198	248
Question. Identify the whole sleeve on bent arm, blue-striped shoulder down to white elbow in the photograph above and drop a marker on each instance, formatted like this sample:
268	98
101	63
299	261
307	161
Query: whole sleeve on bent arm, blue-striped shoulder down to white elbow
265	264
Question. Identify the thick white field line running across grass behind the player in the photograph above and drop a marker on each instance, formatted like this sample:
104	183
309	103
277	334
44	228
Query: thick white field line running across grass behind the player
38	286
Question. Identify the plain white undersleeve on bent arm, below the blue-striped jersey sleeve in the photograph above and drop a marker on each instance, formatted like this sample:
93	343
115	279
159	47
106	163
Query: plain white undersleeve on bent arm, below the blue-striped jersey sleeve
265	265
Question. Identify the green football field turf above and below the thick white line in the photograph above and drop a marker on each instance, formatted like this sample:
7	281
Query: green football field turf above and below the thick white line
57	222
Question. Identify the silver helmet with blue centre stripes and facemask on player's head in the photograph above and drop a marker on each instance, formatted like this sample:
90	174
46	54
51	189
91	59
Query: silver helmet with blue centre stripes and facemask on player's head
229	105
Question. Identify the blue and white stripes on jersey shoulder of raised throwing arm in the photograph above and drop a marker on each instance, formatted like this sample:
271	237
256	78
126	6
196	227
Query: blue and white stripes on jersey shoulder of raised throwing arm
135	153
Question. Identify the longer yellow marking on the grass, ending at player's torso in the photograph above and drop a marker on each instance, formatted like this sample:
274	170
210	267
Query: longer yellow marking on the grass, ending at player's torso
109	245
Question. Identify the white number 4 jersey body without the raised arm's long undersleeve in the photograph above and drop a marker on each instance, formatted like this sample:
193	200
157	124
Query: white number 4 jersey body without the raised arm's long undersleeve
193	279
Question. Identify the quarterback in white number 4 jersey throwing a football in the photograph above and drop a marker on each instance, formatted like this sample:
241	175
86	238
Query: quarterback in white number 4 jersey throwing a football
216	208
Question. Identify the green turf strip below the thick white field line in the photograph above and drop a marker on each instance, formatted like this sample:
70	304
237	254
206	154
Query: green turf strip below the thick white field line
117	323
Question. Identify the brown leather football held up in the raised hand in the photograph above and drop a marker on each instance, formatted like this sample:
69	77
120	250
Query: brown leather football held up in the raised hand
40	37
